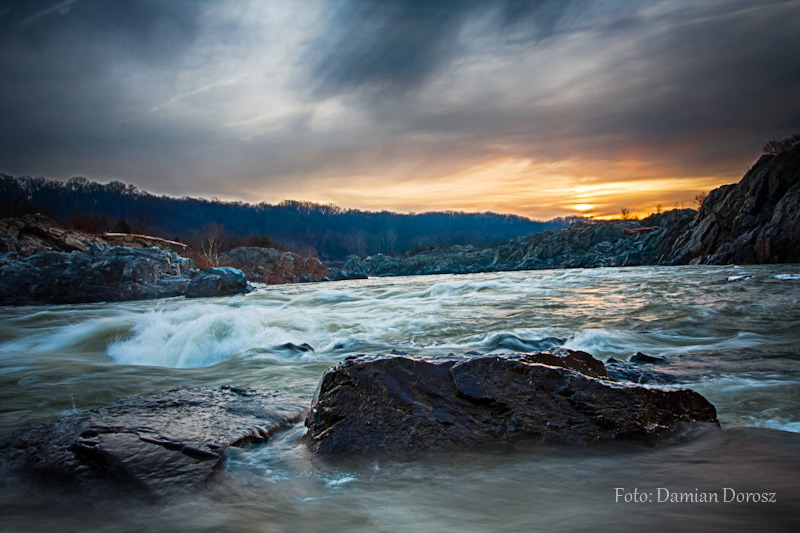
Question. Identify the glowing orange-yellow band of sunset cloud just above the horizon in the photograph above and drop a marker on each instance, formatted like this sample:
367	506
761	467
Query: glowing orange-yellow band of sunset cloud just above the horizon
537	189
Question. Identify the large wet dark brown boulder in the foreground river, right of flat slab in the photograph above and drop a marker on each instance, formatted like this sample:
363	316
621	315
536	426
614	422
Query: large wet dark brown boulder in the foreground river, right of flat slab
398	404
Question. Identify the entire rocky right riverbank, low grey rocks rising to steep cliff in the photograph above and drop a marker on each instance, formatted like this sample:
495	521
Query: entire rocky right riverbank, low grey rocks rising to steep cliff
755	221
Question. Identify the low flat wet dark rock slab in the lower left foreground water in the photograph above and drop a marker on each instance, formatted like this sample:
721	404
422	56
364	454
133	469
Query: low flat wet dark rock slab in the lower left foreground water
152	446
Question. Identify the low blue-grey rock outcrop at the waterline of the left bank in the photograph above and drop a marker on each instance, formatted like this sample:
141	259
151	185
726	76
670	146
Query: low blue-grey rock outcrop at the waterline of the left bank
109	273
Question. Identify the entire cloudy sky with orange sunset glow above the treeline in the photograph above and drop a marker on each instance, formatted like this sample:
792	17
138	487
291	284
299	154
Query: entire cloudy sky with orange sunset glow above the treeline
542	108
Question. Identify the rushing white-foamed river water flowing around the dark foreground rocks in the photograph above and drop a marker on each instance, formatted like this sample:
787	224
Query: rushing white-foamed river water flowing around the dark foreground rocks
731	333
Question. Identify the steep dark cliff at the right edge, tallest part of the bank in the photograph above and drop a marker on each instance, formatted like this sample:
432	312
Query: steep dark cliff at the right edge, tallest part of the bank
754	221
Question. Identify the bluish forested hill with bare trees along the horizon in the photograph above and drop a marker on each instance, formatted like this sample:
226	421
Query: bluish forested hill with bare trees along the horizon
330	231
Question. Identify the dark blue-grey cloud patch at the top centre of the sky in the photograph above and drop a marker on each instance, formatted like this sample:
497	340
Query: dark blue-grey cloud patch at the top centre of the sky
388	46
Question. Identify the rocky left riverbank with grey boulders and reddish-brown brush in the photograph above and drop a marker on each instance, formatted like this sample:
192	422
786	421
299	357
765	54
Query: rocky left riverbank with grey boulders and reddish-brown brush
42	262
